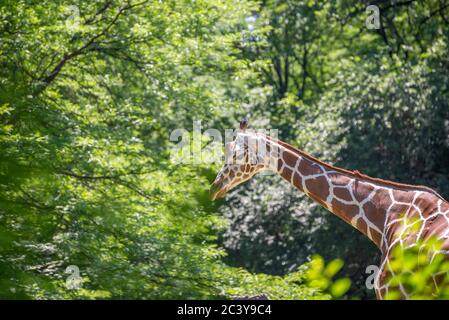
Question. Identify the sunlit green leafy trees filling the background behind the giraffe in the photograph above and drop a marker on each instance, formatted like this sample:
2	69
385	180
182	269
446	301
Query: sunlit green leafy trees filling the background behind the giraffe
90	92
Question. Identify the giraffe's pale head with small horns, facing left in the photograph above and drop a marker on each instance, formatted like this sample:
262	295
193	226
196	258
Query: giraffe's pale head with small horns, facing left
247	155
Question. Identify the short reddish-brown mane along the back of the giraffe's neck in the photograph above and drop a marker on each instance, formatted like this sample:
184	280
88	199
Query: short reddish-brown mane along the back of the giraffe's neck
355	173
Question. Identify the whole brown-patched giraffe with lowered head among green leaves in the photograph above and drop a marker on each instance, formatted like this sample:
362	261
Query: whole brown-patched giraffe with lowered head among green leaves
384	211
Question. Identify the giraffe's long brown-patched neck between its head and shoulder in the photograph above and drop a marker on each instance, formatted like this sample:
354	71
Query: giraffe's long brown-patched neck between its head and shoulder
347	196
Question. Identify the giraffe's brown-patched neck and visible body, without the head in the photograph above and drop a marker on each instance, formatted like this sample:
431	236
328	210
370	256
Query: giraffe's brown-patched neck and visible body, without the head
386	212
